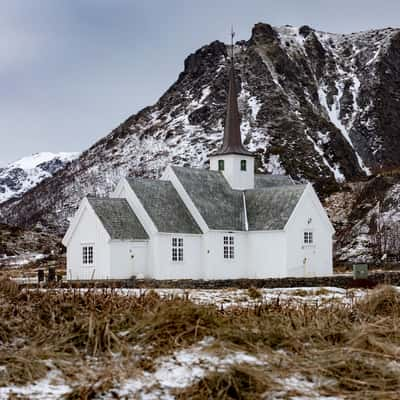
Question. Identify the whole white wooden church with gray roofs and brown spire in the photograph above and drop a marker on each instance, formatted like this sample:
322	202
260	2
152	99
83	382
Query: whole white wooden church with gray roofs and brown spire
223	223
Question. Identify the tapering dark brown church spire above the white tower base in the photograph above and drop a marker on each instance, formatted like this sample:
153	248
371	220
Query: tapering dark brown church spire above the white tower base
232	142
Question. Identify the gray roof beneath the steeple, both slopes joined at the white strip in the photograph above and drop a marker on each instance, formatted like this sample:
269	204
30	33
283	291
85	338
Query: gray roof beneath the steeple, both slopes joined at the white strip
268	207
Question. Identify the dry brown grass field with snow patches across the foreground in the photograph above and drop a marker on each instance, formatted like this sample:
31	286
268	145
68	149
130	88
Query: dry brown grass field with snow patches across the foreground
109	344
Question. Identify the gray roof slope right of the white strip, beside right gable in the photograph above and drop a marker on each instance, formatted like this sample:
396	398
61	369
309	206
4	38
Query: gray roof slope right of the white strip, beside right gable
270	209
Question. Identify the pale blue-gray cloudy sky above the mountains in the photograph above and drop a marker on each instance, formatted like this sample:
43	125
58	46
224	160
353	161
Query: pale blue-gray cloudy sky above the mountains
72	70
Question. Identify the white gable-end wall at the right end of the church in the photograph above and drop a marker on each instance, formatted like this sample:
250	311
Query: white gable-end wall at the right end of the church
303	259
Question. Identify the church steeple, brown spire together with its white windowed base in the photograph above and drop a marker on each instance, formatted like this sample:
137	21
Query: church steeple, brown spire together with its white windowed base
232	159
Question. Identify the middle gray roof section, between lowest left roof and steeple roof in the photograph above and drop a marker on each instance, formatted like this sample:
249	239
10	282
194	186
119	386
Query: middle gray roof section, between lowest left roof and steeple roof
164	206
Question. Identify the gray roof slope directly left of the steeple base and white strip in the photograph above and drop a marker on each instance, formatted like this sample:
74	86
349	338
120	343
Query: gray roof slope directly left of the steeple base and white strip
221	207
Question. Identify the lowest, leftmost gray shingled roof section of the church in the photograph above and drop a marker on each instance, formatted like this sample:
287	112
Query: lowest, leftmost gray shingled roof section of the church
118	218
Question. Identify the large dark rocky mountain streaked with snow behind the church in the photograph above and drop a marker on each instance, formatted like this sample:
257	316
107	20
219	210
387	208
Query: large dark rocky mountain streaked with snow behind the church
315	105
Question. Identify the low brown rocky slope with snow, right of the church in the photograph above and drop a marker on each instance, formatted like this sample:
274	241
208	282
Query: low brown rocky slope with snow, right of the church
366	216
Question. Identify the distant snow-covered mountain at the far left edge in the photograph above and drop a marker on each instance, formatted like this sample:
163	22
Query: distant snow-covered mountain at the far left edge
22	175
